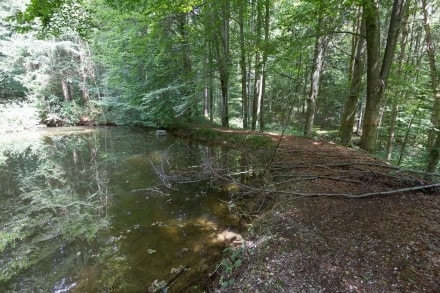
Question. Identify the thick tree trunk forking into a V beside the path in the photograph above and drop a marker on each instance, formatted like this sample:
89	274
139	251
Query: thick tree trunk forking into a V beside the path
377	71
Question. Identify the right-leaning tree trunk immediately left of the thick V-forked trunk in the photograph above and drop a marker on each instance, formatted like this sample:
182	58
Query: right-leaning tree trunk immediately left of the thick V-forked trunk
351	105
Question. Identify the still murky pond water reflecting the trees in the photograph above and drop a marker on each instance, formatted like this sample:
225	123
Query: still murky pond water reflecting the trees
98	210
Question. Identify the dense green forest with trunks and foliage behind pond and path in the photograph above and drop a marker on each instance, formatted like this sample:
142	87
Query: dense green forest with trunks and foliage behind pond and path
362	73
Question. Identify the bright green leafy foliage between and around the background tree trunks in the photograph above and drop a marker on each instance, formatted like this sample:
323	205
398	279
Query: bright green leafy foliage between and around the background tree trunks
154	62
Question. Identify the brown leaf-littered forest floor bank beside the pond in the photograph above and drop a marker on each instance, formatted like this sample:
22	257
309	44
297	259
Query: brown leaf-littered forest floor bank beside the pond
321	222
